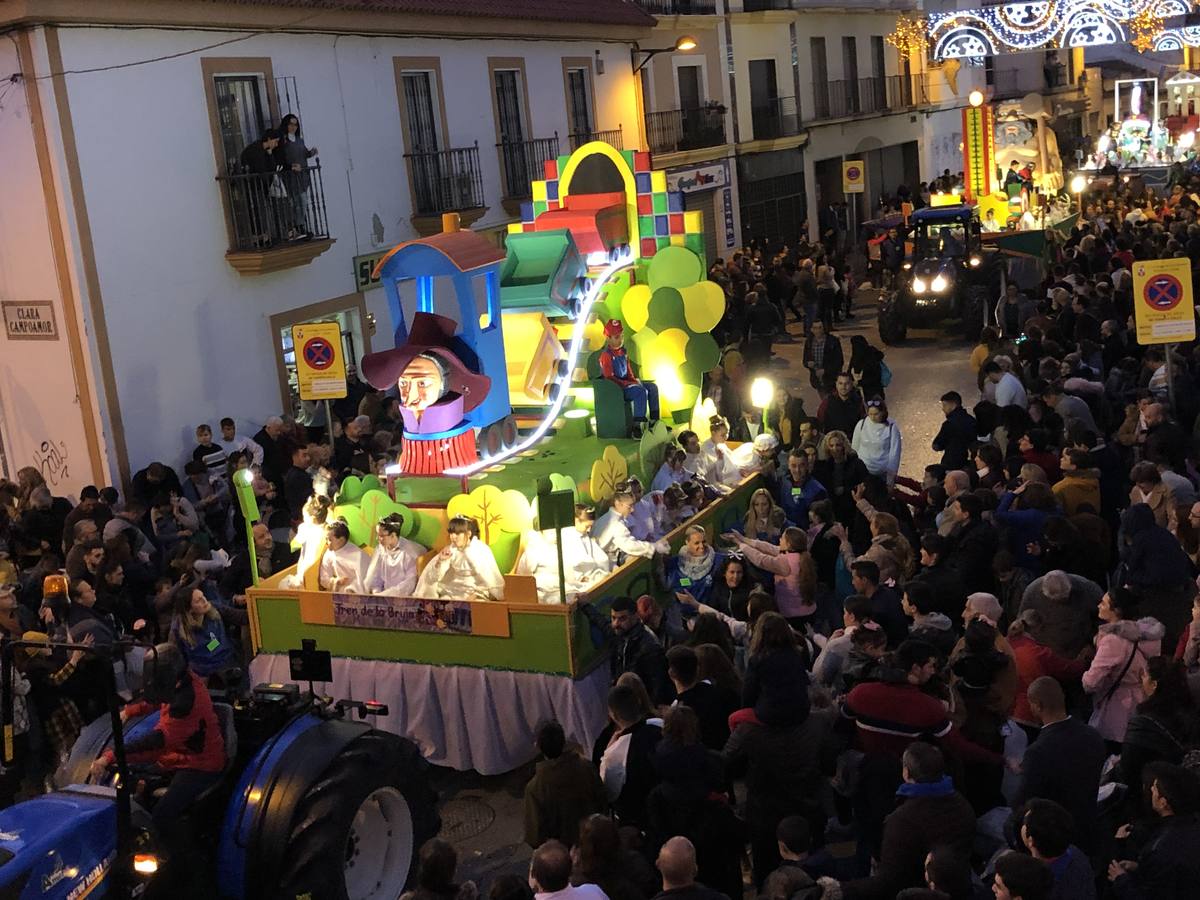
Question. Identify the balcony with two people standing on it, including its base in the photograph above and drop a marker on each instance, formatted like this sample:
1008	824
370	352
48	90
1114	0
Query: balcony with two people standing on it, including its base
278	220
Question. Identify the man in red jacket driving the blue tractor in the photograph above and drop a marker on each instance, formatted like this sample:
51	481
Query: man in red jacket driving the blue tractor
187	743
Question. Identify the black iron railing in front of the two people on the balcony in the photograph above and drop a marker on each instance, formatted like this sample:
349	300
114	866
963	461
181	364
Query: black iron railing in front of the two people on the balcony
274	209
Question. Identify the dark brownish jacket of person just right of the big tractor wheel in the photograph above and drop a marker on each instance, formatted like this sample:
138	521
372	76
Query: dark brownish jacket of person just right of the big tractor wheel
561	794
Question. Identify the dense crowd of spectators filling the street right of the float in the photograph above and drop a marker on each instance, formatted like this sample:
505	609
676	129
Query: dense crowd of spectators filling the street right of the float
977	680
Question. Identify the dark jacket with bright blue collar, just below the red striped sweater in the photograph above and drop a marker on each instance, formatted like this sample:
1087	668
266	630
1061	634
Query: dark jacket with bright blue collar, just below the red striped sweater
937	817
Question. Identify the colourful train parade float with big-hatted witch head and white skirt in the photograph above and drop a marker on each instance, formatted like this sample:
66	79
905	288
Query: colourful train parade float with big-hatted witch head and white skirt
511	419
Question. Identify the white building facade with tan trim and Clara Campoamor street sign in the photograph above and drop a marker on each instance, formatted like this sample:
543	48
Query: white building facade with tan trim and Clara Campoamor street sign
130	227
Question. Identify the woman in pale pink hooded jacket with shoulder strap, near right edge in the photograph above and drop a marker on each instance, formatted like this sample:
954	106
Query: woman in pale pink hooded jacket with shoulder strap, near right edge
1123	647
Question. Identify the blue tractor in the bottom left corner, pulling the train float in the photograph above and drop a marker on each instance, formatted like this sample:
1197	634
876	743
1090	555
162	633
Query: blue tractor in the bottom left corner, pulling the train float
313	802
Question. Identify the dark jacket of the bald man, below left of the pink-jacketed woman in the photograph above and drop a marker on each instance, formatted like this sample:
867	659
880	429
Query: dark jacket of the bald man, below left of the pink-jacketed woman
1064	765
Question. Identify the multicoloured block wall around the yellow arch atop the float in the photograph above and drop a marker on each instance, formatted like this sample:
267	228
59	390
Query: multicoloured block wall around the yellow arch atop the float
662	220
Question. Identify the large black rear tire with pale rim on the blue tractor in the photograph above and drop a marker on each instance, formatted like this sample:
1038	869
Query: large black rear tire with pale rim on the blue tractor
357	831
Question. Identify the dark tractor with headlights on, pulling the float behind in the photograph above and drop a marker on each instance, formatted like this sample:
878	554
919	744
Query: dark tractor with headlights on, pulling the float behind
947	277
